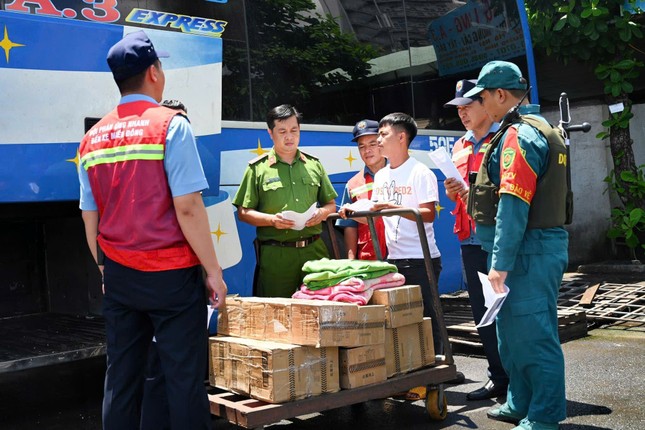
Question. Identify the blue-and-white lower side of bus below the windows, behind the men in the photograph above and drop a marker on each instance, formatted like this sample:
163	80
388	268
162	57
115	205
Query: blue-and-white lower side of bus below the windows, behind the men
341	161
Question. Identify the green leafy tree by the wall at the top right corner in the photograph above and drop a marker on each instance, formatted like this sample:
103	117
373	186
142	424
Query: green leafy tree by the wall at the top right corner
601	33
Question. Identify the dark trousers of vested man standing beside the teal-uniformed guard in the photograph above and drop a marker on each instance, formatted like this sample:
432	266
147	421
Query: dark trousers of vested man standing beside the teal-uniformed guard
474	260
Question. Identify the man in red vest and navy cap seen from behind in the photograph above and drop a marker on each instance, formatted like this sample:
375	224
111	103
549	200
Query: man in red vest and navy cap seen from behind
141	181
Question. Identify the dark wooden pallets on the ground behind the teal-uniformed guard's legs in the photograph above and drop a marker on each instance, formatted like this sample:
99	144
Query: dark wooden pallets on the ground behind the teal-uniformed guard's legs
572	324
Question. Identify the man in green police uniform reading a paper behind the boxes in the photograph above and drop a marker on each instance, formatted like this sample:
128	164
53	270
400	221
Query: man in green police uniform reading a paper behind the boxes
285	179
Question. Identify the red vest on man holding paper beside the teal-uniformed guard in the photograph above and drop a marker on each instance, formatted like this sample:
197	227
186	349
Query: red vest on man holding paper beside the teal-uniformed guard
466	162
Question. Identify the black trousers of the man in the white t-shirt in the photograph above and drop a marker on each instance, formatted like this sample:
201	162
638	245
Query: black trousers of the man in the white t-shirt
415	273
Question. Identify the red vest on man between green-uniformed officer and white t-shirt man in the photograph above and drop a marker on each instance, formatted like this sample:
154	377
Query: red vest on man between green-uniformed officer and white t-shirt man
360	187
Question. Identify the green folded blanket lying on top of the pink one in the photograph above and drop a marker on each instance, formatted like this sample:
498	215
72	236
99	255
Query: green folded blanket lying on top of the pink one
326	272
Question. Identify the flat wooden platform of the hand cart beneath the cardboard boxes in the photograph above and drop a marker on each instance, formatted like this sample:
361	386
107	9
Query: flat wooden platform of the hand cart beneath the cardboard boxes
251	413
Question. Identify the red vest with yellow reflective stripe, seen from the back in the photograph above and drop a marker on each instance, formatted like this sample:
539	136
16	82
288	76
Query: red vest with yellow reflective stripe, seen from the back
123	155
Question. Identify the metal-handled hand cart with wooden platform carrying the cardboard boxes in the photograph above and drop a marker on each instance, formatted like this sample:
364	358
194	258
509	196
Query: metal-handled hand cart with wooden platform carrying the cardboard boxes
251	413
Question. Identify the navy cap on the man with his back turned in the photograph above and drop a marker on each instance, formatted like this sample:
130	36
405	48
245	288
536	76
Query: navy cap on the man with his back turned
132	55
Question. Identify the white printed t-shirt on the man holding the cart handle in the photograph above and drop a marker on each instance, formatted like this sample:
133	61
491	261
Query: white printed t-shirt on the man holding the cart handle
409	185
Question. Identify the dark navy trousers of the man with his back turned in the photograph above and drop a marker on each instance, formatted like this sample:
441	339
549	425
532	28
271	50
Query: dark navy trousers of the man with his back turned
170	305
